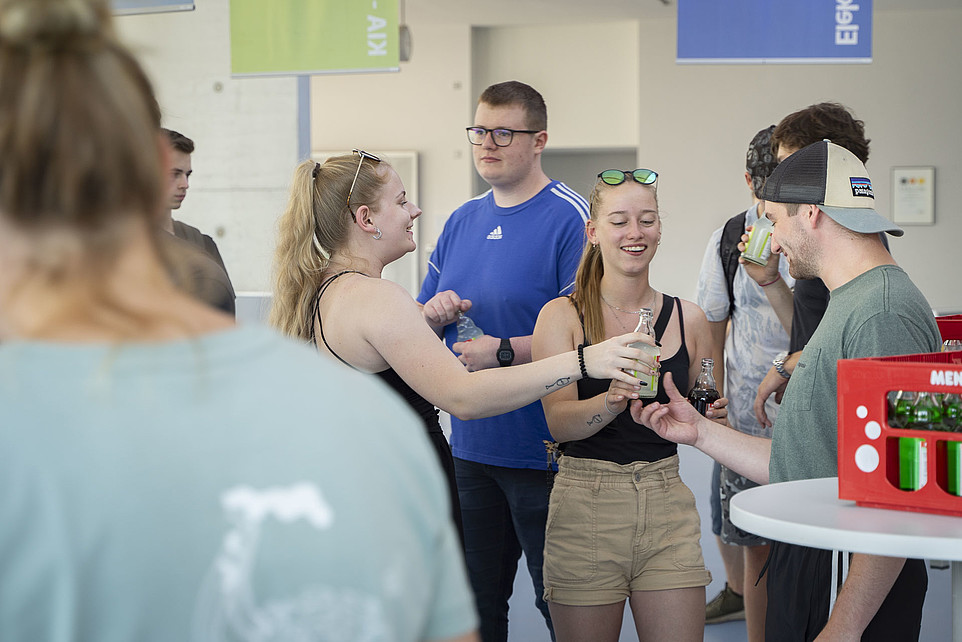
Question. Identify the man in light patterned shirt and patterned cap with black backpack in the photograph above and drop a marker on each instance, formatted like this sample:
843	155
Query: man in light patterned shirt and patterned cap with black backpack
730	297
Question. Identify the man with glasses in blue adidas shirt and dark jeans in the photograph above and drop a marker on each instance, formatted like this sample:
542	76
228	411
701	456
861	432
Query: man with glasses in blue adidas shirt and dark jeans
502	256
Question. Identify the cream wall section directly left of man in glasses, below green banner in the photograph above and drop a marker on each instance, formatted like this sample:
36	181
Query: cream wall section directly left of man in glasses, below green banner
422	108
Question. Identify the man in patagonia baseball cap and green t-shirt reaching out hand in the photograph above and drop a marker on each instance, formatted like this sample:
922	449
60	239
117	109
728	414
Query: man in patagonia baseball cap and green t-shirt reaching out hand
821	202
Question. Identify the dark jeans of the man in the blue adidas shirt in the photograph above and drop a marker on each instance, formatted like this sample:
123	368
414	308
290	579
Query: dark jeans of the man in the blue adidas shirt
504	511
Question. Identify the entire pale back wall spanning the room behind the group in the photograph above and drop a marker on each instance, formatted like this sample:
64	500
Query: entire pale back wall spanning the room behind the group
607	84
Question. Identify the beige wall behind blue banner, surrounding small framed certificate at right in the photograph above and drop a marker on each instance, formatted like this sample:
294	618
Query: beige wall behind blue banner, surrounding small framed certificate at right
704	116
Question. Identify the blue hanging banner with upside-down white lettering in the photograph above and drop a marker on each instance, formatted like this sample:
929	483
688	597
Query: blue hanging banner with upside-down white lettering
774	31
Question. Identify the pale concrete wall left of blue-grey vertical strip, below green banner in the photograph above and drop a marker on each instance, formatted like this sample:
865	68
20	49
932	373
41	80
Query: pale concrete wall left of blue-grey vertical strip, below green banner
245	131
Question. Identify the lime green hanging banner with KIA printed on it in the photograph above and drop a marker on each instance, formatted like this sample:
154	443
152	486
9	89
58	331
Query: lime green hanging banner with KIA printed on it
313	36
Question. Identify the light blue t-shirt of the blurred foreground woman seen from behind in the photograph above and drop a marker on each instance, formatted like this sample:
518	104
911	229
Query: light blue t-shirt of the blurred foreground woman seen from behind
235	486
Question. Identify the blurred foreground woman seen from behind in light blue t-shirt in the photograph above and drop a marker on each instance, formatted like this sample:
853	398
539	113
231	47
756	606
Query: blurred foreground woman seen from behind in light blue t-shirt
165	474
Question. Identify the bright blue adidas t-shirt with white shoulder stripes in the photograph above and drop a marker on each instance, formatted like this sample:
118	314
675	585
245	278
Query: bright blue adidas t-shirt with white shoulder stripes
509	261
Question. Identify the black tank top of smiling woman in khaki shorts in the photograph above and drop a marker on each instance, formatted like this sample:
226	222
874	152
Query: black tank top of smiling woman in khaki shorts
623	441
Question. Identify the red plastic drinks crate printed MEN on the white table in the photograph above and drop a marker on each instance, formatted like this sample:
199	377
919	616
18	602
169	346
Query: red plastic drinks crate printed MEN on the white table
868	447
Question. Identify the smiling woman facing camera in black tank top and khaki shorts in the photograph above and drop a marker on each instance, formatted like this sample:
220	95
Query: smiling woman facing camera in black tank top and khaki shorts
621	522
